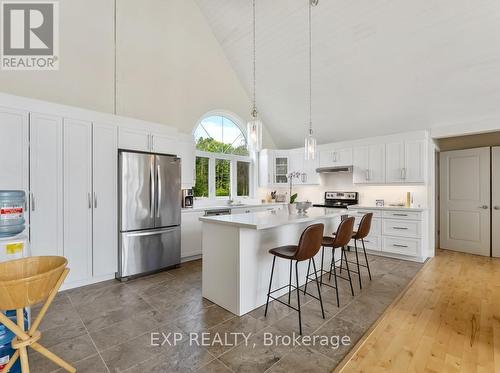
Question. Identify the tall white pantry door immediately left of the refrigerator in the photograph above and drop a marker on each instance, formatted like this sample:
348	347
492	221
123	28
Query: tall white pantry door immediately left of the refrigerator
104	222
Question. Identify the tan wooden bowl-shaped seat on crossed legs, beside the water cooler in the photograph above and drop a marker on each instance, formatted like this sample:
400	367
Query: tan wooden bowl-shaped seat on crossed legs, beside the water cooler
23	283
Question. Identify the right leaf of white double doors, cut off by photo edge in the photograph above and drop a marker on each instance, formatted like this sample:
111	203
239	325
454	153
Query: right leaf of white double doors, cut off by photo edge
495	201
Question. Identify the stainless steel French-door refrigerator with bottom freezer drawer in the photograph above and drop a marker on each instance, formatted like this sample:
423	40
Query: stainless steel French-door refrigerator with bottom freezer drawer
149	213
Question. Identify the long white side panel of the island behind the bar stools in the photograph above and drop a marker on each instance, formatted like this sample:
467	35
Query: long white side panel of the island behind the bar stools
256	262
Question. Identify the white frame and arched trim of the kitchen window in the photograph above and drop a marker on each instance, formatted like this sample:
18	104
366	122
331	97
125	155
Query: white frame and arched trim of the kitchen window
233	158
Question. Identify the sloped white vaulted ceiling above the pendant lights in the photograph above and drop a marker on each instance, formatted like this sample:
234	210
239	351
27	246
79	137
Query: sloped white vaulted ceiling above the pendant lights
379	66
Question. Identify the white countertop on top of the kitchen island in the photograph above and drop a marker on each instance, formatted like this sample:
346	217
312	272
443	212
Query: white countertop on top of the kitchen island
268	219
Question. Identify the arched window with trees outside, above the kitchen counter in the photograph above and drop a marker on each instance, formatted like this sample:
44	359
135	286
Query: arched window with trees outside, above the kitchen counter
223	165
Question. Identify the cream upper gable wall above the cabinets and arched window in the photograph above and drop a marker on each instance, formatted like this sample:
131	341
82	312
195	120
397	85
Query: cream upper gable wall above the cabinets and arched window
170	67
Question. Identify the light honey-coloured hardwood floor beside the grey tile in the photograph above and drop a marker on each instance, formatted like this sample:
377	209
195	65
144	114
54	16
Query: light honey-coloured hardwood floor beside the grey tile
448	320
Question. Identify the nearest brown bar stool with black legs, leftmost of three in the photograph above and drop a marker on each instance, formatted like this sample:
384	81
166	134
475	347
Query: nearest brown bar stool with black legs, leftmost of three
308	247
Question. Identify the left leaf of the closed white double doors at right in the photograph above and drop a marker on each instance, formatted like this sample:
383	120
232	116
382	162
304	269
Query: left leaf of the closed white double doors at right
465	201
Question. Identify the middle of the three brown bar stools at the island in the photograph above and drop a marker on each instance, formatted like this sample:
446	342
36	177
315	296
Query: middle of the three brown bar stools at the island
340	240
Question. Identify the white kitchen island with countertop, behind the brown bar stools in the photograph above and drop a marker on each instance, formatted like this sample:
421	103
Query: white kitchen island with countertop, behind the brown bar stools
236	259
